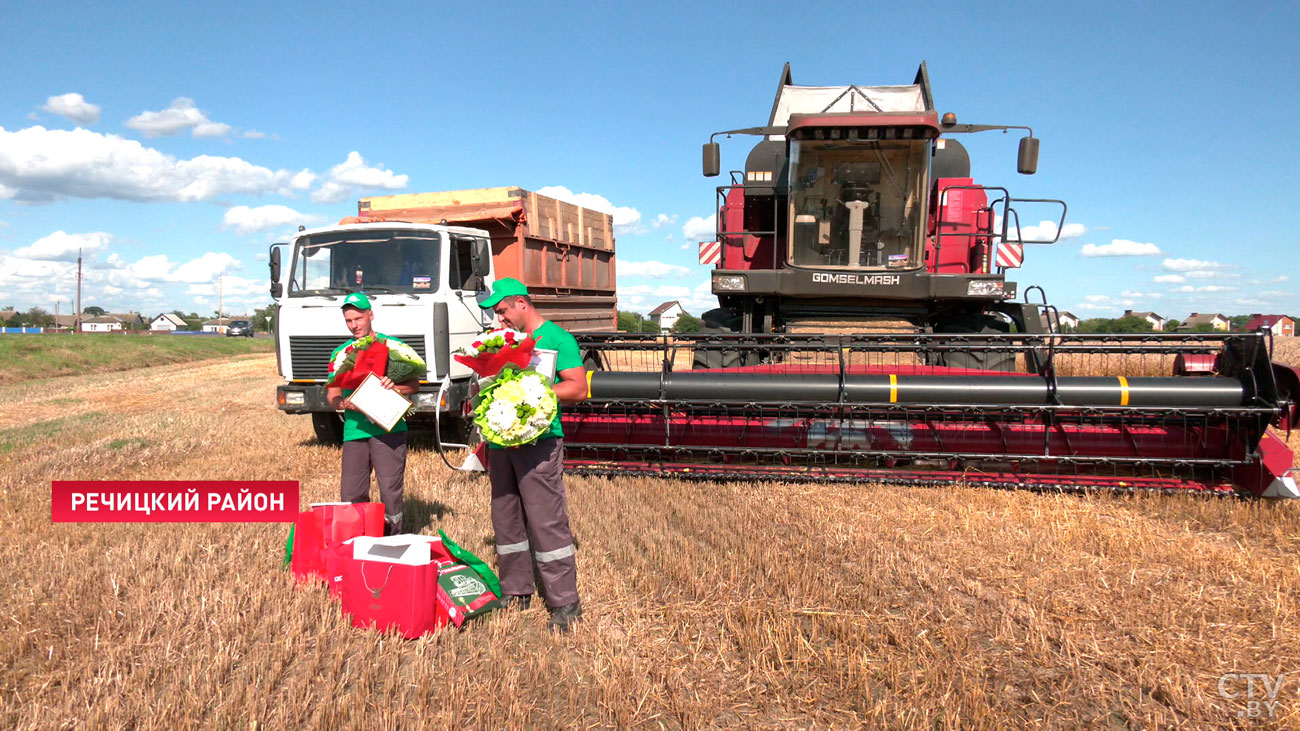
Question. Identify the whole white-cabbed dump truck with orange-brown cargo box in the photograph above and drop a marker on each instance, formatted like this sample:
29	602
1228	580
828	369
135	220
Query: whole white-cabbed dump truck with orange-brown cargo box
426	261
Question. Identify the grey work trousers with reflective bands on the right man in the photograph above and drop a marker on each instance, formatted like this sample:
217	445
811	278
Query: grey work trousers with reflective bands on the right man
531	521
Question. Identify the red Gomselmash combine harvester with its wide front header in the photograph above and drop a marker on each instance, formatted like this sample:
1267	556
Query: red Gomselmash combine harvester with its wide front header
857	209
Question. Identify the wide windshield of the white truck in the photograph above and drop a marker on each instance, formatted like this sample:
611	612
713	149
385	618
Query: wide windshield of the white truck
387	261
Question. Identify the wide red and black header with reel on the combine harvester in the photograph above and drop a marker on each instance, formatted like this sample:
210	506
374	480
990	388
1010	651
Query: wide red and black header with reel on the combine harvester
1095	413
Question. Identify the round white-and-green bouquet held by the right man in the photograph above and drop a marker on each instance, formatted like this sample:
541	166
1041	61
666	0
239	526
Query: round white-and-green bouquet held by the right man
515	408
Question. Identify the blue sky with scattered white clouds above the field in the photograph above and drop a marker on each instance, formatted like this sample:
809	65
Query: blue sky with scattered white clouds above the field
174	144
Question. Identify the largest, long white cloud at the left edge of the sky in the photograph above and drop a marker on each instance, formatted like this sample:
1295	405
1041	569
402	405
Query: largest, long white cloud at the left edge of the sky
40	166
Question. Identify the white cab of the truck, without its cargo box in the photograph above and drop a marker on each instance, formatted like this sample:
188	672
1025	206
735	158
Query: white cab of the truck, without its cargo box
424	283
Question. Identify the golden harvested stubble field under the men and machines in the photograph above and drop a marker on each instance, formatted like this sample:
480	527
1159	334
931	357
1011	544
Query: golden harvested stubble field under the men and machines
709	605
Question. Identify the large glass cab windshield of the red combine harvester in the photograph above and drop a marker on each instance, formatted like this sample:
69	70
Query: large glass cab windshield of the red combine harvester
857	205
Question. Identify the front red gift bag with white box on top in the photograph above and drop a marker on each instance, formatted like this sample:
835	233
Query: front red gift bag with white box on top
393	585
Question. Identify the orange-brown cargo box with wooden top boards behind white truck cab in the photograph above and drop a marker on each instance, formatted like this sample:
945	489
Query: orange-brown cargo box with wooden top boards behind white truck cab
564	253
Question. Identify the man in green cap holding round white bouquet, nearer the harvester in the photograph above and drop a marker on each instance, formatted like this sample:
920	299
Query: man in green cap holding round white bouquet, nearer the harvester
528	482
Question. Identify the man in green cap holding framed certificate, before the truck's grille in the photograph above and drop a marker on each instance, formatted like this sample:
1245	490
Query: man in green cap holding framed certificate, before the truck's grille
366	444
